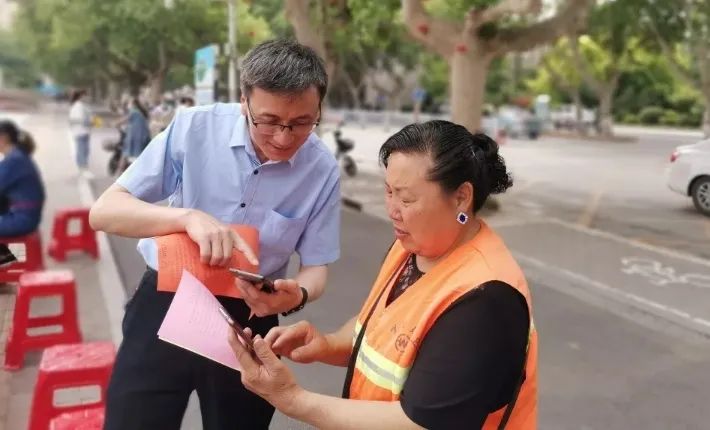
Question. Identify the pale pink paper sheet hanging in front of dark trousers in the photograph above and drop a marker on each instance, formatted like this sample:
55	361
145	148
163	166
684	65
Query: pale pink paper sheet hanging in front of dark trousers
193	322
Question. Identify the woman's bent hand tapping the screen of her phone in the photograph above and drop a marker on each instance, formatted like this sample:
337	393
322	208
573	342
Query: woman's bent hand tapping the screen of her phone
300	342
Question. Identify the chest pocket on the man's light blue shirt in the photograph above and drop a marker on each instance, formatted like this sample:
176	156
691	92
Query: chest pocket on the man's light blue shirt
279	234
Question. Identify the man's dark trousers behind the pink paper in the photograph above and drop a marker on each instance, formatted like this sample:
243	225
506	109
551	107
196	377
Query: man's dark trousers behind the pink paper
152	380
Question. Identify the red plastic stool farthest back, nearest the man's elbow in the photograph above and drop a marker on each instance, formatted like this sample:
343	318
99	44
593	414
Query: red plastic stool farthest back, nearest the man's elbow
62	241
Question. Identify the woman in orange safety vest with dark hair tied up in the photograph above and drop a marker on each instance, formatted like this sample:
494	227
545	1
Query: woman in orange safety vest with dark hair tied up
446	338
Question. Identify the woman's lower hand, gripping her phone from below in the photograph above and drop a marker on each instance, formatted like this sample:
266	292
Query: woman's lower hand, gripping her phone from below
270	379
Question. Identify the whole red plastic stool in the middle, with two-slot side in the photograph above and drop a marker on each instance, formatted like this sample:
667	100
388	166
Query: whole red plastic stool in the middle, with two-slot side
42	284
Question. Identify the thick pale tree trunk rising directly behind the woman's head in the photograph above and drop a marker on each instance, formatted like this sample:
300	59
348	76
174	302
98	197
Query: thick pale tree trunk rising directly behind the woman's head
468	87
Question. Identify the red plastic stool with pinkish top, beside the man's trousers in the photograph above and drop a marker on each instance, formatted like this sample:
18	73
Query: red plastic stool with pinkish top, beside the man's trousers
70	366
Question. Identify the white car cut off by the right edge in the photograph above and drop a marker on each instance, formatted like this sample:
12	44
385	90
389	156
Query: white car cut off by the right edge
689	174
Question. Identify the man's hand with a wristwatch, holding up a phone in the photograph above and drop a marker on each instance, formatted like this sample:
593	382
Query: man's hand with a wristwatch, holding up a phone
287	296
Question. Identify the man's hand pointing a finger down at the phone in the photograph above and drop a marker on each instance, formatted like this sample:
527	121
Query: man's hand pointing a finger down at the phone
215	239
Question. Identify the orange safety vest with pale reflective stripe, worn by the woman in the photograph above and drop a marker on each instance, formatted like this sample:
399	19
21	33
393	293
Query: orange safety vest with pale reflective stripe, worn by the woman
394	333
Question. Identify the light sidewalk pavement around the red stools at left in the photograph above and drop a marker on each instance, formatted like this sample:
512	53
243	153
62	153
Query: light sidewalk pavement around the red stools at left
96	281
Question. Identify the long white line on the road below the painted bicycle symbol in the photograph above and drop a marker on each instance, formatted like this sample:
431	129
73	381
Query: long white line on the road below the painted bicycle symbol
638	300
